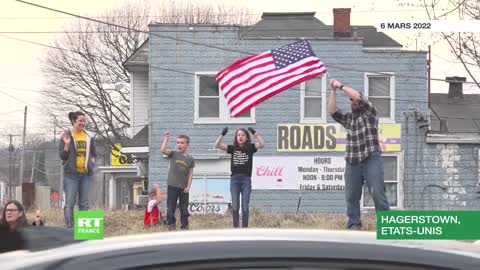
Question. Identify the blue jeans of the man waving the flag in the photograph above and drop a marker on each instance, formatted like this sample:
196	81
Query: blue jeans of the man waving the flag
371	172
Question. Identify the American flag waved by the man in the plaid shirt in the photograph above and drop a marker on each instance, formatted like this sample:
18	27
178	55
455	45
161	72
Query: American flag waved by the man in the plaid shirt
253	79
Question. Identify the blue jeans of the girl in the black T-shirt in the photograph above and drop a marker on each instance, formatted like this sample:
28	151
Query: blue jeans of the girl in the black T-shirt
240	184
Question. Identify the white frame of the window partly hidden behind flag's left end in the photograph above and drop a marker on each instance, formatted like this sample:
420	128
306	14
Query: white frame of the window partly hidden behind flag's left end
224	114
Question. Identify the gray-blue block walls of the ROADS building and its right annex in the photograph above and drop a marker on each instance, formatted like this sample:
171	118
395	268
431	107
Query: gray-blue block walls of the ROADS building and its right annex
172	107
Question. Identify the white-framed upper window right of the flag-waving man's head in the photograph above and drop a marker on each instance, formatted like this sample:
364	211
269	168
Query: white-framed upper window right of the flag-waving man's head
380	90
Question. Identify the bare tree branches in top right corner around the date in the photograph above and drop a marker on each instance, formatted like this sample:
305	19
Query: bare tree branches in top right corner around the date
464	45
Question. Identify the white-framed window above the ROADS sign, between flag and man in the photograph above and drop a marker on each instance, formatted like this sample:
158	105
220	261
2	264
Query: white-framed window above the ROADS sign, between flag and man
313	100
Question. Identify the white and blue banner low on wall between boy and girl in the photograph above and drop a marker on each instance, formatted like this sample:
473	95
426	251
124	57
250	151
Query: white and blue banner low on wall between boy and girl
209	196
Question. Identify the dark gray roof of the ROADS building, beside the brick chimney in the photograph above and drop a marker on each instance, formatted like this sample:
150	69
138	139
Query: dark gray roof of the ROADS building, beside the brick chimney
305	25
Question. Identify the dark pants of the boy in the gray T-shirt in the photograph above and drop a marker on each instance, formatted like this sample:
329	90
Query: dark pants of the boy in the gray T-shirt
174	194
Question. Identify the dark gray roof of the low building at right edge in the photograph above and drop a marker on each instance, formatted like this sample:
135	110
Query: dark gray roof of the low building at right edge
462	115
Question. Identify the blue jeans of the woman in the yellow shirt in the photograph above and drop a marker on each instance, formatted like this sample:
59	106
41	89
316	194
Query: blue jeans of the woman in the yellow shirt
74	184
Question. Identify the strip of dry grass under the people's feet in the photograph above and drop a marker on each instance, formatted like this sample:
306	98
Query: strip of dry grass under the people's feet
121	222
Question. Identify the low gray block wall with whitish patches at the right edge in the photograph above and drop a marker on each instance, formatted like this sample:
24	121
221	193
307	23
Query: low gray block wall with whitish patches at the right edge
441	176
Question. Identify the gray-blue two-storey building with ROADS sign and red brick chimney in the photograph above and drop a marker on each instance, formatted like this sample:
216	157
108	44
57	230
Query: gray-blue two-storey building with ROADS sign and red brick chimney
301	166
